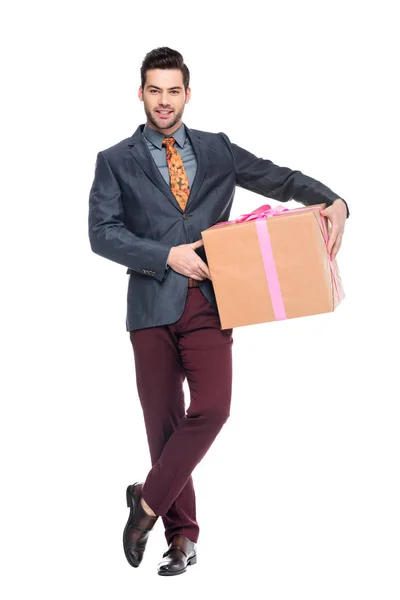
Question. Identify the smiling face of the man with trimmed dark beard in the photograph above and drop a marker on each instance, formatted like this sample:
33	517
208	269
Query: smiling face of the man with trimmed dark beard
164	90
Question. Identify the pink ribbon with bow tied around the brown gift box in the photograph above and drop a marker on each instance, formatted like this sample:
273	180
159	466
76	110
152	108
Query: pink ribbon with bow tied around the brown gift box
261	214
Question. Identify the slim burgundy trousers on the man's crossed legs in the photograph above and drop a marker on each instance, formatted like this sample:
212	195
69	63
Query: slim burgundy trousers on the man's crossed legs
193	348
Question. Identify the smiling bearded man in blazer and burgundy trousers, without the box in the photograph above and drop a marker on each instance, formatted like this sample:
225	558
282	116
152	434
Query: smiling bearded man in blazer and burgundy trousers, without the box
152	195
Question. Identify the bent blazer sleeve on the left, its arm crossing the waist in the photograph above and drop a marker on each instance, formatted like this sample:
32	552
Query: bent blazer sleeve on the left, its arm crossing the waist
108	234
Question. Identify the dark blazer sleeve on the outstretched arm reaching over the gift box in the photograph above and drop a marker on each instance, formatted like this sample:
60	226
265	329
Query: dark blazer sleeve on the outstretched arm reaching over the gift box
280	183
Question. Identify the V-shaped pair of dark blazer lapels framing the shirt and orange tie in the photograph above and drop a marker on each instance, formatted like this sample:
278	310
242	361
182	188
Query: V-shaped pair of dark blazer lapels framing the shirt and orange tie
140	152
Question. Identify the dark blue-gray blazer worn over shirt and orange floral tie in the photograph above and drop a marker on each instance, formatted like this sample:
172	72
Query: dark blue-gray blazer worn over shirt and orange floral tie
134	219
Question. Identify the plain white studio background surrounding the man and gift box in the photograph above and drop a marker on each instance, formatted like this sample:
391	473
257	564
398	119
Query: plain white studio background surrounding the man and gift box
298	497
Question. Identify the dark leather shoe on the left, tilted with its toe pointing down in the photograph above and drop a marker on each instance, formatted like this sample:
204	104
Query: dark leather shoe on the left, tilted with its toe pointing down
139	525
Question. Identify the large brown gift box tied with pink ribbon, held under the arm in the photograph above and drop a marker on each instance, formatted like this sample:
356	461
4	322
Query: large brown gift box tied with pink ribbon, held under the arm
272	264
